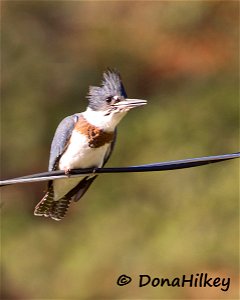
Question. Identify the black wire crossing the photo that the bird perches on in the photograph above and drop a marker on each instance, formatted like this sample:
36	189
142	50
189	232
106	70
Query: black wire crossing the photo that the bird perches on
162	166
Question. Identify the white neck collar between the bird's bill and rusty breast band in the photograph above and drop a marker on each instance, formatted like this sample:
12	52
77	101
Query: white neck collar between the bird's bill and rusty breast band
103	121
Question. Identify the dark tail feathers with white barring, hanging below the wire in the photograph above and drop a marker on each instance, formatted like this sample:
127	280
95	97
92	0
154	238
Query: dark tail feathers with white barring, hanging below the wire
47	207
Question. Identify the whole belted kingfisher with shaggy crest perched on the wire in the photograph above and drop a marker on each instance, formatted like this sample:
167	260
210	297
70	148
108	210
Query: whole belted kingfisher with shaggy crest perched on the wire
85	140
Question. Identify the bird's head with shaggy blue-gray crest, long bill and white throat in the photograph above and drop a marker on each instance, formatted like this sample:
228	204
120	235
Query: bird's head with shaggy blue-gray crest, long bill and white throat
108	103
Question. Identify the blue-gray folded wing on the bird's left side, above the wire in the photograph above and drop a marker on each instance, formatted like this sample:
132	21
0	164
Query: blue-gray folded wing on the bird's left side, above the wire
60	140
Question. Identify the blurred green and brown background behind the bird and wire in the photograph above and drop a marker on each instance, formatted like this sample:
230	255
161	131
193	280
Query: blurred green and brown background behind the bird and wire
183	58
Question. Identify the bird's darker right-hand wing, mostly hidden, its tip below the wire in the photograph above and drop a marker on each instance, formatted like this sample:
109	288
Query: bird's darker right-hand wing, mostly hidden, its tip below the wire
83	186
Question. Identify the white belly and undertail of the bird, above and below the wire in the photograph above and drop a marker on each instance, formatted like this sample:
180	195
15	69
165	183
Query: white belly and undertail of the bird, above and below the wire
78	155
